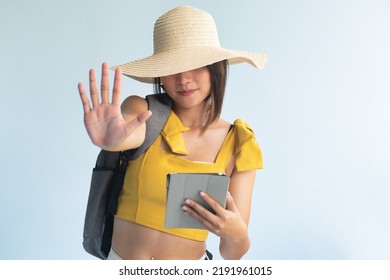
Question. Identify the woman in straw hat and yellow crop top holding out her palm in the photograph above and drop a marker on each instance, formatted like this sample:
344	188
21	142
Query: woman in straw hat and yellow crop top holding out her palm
189	66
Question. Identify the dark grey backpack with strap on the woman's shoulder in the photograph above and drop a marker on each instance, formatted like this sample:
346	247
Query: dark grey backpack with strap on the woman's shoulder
107	181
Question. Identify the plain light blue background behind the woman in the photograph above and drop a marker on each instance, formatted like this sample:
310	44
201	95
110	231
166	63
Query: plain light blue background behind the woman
320	110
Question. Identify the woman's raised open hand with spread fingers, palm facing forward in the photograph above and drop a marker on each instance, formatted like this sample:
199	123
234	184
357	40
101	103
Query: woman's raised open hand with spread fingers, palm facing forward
104	120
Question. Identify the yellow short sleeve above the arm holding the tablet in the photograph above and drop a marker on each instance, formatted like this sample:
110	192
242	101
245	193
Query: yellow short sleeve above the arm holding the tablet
248	152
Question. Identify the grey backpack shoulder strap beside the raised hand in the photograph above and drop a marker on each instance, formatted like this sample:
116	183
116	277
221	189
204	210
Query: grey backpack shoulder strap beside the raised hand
160	105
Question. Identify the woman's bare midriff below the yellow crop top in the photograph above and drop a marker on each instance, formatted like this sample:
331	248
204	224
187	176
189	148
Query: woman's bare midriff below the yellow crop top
132	241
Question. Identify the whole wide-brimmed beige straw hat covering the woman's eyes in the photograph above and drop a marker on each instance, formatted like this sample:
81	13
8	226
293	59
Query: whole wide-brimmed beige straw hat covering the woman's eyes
185	38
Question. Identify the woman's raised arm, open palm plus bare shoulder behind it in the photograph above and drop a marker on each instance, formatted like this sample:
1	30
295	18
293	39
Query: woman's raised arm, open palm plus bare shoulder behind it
109	126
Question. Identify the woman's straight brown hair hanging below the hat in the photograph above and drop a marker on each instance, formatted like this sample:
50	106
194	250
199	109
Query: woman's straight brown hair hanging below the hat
218	76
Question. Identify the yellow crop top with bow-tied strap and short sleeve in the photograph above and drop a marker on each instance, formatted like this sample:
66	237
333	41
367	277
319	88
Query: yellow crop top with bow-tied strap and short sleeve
143	197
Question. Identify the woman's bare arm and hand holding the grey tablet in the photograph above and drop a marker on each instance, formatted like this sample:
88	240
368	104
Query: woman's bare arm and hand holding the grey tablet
230	224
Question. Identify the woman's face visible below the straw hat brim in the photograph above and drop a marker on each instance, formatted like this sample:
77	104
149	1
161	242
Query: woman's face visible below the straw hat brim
188	89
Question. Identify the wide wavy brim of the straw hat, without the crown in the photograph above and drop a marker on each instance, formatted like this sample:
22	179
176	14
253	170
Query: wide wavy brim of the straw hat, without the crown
176	61
